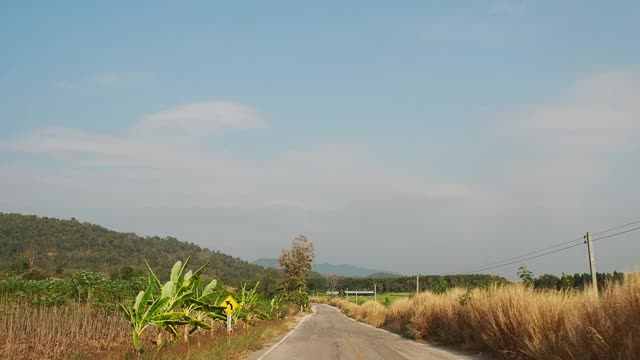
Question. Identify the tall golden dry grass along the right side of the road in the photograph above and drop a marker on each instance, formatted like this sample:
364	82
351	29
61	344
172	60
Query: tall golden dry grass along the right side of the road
516	322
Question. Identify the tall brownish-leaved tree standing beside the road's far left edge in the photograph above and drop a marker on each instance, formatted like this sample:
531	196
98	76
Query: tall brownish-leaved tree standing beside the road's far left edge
296	263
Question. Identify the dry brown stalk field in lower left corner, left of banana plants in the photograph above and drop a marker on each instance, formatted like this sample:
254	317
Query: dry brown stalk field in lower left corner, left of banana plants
38	332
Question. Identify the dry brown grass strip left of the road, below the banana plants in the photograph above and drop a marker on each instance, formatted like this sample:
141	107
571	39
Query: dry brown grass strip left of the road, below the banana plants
85	332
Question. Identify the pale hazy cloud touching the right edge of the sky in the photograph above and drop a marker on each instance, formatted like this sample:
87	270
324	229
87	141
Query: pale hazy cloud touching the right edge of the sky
598	115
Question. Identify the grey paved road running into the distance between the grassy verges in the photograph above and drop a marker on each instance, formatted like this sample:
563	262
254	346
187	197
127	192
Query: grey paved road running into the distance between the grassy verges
328	334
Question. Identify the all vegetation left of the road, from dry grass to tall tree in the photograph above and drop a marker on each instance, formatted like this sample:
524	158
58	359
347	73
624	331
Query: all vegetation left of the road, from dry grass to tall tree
88	315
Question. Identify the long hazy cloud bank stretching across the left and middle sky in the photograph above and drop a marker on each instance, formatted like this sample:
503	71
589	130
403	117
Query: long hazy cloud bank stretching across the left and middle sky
165	151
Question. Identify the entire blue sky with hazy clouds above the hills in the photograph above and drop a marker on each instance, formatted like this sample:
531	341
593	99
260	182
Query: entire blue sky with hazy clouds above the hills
415	136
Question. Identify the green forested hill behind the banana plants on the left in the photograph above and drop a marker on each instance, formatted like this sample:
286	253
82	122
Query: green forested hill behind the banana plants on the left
53	247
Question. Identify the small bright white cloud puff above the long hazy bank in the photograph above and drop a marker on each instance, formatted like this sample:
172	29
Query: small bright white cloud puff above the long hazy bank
203	118
